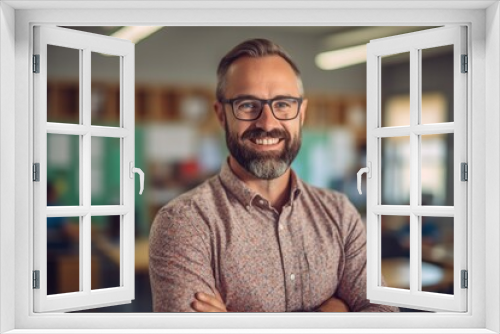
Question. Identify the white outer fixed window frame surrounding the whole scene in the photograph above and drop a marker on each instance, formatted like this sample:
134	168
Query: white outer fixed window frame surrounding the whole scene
483	21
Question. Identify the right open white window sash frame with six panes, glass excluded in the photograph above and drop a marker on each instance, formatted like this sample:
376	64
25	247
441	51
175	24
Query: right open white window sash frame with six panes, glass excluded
414	44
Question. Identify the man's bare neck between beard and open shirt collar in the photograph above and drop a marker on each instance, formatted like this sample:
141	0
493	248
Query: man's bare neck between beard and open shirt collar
275	191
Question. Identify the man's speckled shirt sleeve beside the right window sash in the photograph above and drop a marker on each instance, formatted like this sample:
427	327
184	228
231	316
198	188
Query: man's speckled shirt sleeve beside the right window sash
352	286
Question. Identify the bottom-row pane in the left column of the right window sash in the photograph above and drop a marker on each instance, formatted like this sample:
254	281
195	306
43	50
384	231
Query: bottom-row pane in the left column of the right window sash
395	243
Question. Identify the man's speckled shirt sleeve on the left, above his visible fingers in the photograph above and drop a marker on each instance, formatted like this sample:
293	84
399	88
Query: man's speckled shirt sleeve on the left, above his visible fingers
180	260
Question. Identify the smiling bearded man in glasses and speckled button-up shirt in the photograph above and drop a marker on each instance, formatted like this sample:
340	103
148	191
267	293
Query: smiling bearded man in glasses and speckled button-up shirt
256	238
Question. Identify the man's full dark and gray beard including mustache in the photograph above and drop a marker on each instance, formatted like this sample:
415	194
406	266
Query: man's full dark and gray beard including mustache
265	165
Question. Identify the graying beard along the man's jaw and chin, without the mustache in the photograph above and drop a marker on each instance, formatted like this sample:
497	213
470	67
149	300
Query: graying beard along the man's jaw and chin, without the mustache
264	165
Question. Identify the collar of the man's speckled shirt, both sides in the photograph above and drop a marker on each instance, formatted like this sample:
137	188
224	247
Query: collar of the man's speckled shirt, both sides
246	195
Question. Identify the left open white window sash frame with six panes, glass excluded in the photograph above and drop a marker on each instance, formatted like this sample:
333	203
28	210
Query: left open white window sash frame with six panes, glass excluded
84	44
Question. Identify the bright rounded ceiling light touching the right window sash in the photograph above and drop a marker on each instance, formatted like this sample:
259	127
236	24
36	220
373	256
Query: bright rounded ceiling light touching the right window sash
333	60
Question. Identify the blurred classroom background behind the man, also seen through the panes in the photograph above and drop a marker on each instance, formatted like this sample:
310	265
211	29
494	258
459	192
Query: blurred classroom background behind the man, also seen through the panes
179	143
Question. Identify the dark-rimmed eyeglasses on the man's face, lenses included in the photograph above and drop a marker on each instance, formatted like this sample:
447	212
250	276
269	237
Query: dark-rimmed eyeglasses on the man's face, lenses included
250	109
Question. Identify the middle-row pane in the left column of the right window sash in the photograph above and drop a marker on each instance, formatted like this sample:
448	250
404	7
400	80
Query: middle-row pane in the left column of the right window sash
395	167
